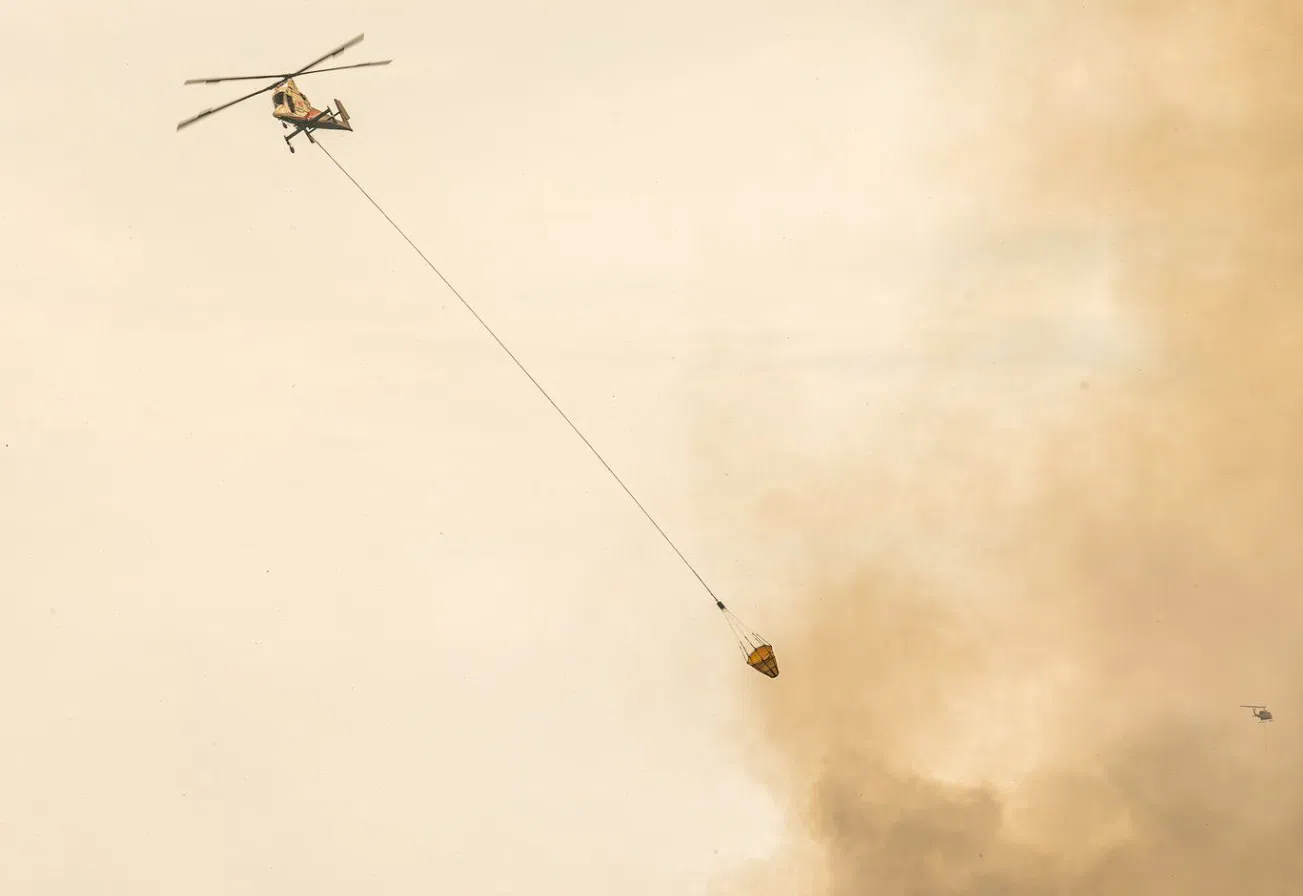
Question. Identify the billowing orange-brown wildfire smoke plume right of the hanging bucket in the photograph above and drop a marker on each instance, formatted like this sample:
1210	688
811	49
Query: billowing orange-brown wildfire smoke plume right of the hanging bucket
1044	697
